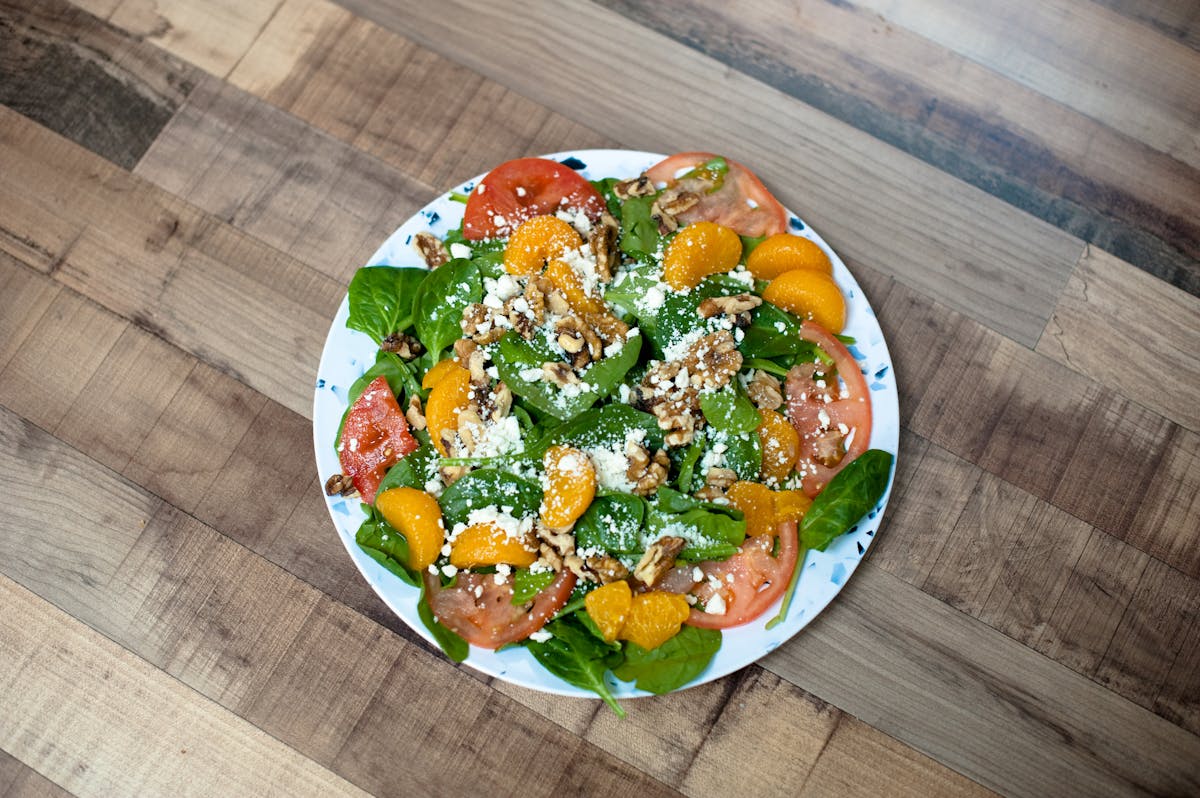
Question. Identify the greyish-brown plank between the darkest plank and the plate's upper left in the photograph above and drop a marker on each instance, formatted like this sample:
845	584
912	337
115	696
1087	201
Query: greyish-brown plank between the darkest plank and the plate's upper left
269	175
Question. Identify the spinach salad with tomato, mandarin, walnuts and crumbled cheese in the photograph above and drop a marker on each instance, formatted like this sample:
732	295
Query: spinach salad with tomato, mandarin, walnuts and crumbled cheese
607	419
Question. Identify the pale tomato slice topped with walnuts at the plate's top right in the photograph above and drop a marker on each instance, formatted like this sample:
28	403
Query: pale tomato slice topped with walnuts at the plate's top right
737	200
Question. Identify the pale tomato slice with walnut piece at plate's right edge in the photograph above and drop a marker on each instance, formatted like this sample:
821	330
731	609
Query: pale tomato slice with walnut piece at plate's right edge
821	423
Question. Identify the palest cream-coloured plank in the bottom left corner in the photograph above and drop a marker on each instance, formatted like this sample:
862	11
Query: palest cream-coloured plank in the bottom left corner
98	721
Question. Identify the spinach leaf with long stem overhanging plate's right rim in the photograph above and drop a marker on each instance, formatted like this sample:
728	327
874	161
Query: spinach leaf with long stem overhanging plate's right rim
849	496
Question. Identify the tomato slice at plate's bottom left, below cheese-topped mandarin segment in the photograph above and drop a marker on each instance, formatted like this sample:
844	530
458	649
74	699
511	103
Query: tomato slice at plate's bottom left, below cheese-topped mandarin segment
483	614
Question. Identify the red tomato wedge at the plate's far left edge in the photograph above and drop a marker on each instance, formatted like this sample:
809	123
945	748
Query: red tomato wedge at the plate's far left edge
376	436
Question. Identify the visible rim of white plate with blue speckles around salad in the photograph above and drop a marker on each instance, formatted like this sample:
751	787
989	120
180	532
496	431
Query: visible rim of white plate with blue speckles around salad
350	353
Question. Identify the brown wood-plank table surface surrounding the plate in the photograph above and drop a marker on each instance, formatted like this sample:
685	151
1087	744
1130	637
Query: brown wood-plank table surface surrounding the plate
187	189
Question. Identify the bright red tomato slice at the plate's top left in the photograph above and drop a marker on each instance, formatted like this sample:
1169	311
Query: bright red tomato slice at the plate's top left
524	189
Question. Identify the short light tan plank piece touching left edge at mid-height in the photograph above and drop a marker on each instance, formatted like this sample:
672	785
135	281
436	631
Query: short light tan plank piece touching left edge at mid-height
58	357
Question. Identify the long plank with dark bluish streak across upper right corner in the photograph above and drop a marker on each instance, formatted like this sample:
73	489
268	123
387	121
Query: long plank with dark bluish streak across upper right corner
961	117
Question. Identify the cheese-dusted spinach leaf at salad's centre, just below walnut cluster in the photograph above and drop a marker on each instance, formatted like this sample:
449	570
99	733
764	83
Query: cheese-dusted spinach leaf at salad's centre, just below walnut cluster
515	357
